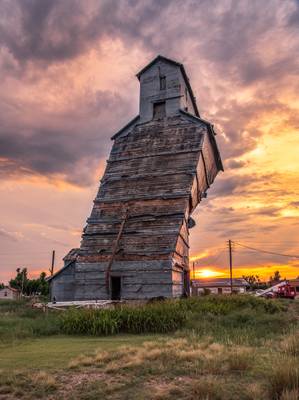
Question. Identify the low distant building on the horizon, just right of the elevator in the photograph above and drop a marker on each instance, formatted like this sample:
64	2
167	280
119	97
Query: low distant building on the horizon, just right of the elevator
218	286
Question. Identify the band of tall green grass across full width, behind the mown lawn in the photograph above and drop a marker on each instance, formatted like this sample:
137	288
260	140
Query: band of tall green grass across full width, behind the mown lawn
238	319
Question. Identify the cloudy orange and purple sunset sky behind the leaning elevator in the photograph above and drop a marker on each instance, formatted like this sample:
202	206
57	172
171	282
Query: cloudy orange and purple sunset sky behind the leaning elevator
68	84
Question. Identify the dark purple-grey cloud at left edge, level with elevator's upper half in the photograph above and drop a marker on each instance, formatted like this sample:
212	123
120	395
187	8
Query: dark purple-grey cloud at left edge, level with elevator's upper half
47	153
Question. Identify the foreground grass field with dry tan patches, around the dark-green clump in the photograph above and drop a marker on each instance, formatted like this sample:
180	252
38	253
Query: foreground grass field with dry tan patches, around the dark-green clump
229	348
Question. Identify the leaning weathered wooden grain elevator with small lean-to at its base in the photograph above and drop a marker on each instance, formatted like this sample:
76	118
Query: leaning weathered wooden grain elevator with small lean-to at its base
136	241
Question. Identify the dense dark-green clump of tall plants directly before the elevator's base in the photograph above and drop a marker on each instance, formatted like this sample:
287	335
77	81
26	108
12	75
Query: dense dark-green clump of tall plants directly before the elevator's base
159	317
